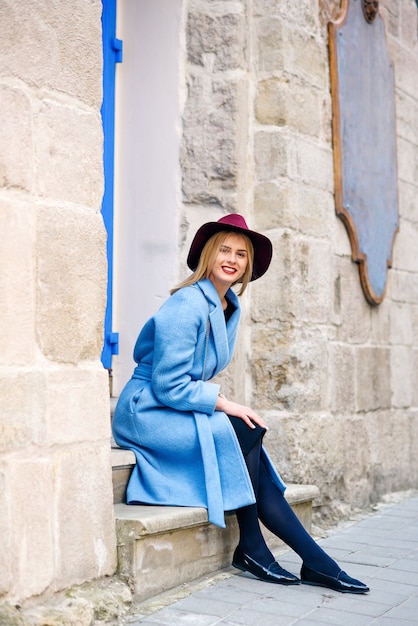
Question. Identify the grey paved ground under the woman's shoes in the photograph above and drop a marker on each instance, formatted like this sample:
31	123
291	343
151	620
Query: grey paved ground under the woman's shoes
380	549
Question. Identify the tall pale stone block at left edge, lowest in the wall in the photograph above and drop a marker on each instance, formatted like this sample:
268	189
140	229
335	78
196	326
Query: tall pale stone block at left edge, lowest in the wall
30	487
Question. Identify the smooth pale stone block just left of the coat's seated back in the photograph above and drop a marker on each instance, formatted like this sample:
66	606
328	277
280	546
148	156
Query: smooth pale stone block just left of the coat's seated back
78	402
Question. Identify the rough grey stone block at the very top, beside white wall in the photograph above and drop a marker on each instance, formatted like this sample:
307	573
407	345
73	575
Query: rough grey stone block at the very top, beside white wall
222	38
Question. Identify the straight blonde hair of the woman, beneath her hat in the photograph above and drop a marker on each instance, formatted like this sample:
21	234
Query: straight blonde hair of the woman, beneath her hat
208	256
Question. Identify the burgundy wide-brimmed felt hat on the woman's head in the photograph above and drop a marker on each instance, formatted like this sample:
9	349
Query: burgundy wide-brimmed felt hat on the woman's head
234	222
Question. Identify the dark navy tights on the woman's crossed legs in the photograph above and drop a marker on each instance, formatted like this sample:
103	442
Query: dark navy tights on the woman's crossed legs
276	514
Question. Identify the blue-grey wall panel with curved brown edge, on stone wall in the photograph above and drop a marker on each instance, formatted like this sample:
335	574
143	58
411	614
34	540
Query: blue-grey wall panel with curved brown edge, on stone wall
364	140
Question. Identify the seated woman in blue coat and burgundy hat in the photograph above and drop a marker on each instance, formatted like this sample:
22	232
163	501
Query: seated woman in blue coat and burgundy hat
193	446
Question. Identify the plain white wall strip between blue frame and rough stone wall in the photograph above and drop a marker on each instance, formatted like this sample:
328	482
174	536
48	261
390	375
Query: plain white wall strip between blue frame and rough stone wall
146	168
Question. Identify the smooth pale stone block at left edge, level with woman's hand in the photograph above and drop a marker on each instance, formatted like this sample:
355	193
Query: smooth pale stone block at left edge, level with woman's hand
22	408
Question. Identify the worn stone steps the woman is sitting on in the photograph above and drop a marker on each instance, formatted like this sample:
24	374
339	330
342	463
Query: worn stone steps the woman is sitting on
160	548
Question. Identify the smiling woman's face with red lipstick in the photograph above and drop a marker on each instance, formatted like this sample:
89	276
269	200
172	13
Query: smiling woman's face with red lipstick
230	262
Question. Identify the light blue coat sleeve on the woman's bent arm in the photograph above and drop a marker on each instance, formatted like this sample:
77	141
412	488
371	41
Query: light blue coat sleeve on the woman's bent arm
180	328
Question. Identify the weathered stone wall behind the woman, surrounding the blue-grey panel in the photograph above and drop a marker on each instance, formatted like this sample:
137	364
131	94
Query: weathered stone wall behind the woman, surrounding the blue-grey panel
335	378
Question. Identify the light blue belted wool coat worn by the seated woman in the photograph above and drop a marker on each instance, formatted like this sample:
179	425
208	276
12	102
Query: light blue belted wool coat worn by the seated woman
187	453
